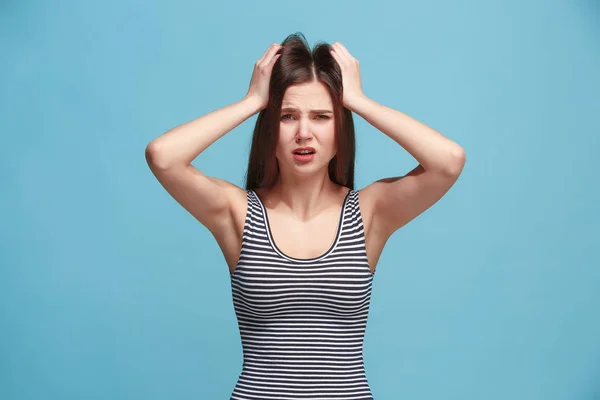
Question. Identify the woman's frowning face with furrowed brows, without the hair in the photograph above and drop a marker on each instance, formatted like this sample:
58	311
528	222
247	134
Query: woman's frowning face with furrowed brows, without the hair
306	120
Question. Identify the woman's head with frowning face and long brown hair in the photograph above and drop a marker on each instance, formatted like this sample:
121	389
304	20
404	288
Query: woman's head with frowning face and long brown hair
305	109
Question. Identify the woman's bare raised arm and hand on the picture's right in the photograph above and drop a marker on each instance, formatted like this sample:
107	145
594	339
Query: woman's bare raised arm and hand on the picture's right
392	202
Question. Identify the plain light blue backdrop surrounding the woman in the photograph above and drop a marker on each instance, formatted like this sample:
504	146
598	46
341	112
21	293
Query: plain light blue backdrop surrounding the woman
111	290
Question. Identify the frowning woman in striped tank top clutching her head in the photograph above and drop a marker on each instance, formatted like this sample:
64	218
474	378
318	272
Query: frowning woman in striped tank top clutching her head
300	242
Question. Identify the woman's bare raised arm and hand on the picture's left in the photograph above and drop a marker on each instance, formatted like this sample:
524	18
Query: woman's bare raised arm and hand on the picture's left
169	156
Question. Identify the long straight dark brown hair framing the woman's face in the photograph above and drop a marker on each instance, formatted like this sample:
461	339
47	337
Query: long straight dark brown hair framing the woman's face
296	65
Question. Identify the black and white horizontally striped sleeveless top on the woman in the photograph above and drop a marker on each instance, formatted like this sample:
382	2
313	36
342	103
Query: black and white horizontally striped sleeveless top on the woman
302	321
